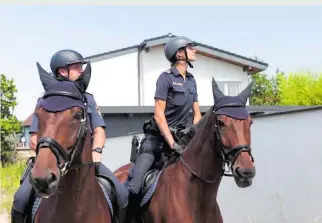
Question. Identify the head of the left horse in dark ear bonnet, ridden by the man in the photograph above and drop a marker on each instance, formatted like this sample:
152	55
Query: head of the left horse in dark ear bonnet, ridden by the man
62	130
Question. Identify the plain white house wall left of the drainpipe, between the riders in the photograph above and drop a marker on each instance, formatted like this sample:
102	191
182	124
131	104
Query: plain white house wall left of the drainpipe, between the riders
114	81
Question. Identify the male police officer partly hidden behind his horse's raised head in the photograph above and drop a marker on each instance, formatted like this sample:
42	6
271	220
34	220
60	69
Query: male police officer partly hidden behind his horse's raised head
68	65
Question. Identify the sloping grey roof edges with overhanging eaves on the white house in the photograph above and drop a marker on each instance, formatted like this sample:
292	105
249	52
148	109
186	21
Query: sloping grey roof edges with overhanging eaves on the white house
252	65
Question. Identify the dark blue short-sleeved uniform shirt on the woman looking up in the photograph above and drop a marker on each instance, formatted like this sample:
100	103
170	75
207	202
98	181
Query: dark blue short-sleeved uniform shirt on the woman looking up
179	94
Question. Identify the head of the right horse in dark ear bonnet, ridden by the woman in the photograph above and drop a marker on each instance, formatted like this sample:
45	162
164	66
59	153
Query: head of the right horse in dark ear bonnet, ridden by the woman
232	130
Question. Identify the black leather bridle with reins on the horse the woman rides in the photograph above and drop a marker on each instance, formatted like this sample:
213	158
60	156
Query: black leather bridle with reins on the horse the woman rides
229	155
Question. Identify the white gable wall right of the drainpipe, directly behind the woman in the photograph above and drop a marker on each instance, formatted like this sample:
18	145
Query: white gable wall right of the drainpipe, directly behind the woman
154	63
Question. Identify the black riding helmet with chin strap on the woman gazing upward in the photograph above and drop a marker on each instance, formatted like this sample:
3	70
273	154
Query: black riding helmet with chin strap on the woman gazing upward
175	44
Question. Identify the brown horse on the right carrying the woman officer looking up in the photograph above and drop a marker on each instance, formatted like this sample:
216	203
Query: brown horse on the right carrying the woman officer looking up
186	188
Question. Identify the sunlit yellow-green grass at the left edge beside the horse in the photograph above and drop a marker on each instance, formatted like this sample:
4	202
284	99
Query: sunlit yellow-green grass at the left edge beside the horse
9	179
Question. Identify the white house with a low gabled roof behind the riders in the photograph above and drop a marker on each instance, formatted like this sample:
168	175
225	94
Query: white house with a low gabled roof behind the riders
127	77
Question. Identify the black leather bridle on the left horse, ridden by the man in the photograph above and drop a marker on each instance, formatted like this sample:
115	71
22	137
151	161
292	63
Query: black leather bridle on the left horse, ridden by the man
66	160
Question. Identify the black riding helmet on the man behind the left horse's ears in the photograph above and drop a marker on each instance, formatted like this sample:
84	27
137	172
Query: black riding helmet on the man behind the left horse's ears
64	58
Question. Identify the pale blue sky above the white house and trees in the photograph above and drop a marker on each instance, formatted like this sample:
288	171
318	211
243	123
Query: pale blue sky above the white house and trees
285	37
